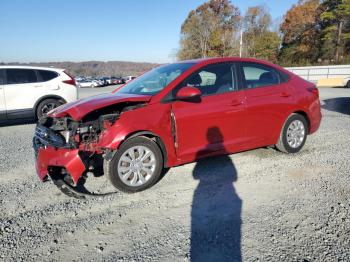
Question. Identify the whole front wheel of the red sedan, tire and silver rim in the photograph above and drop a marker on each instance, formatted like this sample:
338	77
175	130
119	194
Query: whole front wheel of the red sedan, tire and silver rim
136	166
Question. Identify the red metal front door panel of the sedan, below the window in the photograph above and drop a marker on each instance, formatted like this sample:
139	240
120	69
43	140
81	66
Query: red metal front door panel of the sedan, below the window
196	121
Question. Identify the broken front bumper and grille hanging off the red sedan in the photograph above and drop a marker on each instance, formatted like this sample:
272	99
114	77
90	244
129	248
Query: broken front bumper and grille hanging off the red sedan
66	166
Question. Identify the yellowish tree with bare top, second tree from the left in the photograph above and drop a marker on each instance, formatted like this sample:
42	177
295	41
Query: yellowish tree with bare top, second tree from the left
259	41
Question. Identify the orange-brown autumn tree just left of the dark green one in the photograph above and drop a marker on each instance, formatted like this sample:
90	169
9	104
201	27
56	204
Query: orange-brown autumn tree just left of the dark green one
301	36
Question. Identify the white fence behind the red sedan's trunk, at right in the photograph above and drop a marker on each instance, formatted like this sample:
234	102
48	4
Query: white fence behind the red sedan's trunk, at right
315	73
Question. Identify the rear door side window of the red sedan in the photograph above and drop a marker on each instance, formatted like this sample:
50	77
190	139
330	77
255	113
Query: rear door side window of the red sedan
257	75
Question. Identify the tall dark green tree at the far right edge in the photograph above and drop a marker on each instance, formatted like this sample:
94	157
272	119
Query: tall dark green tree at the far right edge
334	17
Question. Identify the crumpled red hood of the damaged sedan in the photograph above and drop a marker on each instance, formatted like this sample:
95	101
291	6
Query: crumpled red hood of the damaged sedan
78	109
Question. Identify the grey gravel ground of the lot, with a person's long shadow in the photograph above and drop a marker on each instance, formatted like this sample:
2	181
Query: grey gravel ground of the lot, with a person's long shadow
259	205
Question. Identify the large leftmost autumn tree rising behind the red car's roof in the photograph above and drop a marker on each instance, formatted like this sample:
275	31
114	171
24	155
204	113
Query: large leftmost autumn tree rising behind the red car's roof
210	30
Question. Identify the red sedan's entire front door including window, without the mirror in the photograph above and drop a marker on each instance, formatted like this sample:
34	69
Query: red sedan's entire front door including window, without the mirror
215	123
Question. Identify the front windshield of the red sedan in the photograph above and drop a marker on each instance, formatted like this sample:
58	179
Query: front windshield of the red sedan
155	80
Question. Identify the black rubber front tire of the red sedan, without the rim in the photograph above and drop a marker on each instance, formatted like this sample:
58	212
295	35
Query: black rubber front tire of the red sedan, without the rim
111	167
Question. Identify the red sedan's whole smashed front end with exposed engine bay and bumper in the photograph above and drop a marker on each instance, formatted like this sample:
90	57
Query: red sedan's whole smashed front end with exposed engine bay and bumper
76	142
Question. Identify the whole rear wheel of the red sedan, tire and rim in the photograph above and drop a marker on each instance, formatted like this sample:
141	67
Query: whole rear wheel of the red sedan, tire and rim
293	134
